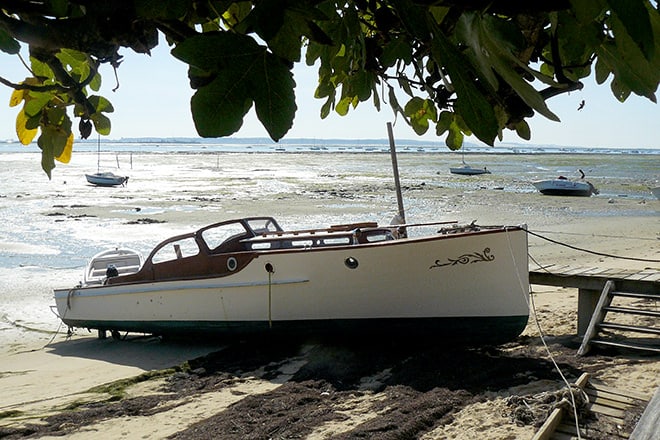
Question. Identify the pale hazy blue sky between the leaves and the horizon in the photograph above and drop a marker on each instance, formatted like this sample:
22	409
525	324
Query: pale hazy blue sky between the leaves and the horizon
153	100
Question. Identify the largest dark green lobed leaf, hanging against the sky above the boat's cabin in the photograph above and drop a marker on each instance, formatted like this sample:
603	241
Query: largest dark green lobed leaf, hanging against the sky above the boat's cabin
244	73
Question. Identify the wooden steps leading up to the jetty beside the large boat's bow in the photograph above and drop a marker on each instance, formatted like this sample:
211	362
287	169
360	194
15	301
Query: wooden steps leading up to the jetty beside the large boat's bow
618	331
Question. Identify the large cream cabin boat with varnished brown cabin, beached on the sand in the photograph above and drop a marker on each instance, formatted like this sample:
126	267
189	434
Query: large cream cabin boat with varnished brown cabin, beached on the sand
463	284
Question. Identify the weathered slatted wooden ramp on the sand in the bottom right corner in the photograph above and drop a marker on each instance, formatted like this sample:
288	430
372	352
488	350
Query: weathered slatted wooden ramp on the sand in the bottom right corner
607	415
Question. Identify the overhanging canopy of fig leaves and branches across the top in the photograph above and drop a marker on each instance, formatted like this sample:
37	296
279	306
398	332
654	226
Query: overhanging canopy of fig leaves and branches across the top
469	67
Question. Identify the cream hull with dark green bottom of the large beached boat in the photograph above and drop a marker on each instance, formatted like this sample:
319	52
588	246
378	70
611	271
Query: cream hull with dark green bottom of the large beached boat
466	286
